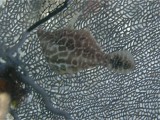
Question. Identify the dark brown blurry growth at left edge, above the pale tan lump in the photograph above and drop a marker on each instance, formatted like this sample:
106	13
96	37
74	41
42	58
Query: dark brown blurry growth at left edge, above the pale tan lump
11	86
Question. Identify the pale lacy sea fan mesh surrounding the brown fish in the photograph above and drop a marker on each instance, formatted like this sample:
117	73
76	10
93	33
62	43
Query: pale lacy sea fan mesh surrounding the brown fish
97	93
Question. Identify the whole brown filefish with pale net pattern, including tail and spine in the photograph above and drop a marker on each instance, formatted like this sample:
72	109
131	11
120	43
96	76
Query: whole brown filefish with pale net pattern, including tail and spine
70	50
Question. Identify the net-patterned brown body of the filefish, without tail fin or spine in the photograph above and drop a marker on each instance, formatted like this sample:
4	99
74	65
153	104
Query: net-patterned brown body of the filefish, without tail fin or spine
68	50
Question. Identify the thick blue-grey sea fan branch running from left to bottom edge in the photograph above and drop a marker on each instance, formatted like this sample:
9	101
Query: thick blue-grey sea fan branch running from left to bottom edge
27	80
